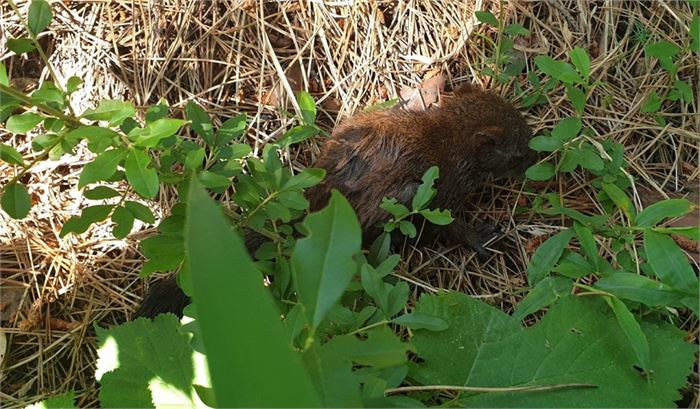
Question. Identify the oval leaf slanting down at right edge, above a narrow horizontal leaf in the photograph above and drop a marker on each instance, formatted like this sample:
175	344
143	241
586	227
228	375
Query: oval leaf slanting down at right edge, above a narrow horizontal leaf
669	262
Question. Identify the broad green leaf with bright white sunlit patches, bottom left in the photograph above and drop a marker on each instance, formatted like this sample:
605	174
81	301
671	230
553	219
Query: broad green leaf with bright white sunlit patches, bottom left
158	370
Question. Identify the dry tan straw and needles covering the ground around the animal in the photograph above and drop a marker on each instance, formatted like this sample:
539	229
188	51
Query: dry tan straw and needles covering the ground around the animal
251	56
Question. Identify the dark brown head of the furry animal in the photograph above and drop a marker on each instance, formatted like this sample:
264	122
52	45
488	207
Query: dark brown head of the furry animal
499	134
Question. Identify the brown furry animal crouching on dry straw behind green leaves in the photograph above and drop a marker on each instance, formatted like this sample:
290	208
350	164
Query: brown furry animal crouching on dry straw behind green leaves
473	136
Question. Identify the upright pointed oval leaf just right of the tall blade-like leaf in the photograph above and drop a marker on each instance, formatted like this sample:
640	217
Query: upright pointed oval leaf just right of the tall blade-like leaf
323	262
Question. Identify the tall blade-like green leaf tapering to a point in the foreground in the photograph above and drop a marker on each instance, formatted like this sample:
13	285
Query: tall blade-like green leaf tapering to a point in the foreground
257	348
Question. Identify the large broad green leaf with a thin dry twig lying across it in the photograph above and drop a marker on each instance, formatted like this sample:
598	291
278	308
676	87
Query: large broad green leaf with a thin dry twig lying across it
578	341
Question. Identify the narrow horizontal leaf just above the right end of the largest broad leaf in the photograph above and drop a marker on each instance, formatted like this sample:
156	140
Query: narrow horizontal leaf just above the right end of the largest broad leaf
635	287
